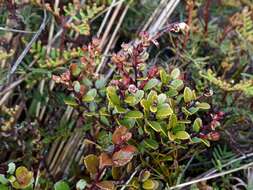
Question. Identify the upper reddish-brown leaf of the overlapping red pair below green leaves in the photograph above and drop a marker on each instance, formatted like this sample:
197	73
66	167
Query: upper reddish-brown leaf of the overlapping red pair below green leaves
121	135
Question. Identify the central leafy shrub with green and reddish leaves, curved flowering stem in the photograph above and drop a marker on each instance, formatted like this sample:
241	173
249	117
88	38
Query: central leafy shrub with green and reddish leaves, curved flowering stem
146	112
